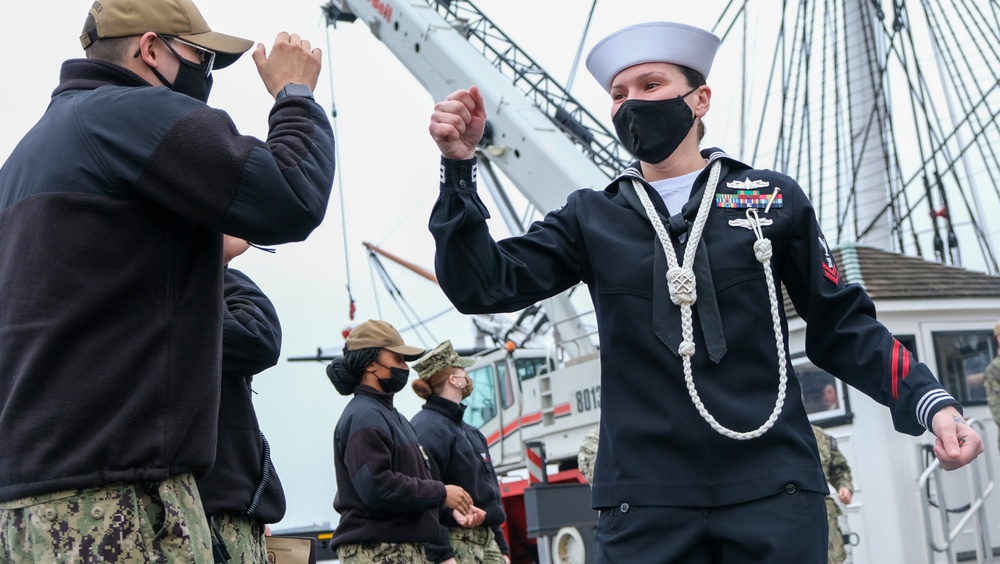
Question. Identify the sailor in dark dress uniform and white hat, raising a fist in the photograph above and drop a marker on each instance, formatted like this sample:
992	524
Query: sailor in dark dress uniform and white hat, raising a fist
706	452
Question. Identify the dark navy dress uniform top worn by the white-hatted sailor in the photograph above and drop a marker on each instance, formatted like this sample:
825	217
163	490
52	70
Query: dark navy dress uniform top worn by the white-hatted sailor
655	449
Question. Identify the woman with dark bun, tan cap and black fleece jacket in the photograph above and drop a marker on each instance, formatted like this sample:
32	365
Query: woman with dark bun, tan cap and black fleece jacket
387	499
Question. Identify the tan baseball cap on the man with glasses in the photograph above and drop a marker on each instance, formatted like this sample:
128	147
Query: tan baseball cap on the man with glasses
176	18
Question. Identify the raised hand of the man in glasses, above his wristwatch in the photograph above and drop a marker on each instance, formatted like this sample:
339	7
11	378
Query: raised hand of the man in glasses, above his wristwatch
292	59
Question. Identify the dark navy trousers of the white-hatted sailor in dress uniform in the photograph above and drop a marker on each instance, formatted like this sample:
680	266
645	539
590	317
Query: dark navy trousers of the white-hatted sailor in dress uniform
781	529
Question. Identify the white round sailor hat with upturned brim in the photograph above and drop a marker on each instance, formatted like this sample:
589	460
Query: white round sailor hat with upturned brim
653	42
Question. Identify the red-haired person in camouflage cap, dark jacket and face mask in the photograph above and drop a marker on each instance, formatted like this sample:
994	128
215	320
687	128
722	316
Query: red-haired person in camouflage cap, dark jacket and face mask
459	455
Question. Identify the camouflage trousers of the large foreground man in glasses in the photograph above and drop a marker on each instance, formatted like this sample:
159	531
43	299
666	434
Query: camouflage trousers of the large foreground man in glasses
132	523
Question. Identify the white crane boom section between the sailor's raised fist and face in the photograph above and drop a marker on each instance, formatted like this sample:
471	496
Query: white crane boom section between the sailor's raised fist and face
545	157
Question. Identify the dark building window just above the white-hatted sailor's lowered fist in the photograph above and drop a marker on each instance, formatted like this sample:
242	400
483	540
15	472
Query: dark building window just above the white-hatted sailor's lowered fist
962	357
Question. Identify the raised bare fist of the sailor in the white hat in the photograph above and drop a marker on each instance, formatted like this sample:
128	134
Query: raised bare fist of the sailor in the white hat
458	122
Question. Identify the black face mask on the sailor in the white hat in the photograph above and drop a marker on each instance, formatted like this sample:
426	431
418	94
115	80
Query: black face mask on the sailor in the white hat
653	129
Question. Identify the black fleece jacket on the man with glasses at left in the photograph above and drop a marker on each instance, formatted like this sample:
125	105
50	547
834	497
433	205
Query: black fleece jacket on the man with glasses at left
111	210
